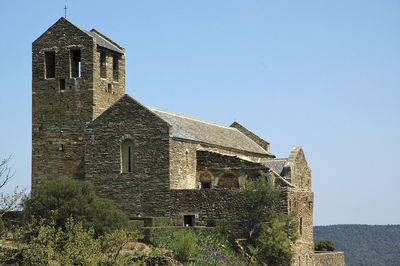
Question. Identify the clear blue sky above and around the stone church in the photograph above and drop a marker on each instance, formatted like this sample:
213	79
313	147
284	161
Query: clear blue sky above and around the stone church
321	74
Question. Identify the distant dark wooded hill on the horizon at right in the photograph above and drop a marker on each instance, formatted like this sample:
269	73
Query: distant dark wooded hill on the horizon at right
364	244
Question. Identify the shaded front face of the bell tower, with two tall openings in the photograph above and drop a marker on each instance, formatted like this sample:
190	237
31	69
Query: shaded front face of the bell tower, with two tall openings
59	115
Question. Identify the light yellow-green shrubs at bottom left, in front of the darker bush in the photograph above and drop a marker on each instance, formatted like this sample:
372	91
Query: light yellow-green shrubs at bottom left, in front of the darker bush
72	246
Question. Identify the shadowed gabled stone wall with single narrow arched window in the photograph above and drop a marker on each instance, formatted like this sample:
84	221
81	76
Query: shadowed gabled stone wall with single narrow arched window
145	190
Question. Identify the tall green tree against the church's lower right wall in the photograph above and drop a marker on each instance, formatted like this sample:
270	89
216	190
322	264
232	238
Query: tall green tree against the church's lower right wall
271	232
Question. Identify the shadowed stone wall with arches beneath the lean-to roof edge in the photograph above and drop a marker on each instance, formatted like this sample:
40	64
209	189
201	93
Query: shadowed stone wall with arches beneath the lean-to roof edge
217	166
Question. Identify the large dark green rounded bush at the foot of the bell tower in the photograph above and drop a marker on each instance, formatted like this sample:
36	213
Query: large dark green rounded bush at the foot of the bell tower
77	199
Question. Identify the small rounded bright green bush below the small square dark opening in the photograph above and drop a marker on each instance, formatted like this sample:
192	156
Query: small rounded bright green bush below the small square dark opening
183	243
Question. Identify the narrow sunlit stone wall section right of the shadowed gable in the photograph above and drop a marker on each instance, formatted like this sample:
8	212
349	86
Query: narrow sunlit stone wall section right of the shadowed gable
183	164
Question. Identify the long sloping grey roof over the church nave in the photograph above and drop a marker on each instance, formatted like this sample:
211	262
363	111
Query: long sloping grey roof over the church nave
206	132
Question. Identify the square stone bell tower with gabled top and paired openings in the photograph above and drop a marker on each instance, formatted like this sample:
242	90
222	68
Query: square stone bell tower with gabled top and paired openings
76	75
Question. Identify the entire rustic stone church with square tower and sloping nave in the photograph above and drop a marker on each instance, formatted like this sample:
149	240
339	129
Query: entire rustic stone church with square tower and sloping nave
150	162
